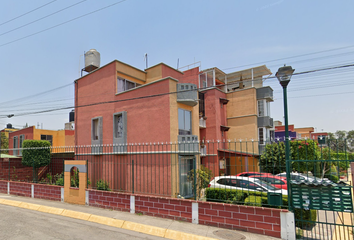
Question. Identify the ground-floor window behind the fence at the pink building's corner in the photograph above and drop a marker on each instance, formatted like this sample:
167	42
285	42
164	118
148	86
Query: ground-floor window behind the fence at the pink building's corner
186	186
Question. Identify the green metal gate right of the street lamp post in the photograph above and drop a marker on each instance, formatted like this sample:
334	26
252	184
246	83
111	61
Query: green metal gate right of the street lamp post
321	190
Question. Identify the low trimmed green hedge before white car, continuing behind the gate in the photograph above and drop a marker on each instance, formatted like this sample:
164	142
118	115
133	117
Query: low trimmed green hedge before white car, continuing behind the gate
260	199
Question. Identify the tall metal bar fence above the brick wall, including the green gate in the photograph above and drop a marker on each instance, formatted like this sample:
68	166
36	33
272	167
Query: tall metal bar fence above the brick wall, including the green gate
318	190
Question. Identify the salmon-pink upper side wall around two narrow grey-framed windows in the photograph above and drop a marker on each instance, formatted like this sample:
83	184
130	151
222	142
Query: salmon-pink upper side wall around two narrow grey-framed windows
148	119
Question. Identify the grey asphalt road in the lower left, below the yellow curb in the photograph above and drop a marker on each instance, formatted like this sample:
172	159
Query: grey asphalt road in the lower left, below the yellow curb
18	223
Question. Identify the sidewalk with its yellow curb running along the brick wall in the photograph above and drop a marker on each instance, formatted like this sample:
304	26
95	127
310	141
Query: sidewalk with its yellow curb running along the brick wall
149	225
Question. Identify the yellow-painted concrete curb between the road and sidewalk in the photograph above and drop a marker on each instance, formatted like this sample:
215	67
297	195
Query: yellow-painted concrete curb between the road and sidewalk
136	227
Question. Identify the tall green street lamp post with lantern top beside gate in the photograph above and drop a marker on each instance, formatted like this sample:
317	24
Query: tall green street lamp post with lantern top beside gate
284	75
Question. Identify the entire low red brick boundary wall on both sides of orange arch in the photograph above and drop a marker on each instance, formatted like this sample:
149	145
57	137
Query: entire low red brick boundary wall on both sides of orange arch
266	221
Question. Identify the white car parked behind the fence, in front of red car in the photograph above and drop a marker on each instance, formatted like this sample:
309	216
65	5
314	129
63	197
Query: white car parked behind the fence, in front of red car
244	184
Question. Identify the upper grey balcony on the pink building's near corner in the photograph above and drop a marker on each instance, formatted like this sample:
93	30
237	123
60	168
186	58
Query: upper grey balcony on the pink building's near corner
187	94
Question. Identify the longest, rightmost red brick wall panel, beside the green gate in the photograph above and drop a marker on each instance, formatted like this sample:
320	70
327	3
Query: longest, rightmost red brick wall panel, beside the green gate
259	220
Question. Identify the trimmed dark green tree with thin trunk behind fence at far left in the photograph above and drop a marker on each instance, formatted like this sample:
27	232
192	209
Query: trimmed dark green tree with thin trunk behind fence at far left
36	154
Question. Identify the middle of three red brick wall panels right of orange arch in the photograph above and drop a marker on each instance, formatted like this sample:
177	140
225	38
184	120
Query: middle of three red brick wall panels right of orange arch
164	207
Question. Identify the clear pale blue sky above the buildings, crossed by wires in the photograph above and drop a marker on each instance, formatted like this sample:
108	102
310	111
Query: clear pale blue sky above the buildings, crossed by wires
43	43
